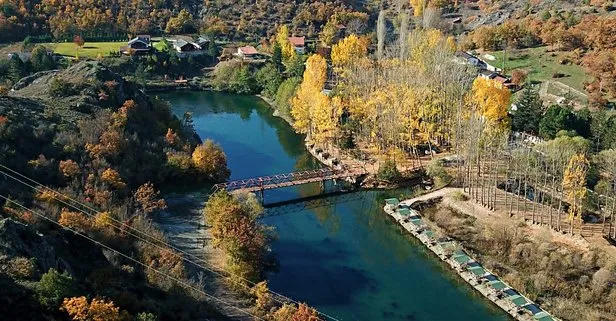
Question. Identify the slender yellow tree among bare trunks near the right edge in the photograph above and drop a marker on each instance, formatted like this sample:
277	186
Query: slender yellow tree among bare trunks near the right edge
574	185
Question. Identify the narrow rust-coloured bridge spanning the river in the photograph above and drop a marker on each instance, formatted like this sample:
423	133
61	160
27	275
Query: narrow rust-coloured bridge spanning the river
290	179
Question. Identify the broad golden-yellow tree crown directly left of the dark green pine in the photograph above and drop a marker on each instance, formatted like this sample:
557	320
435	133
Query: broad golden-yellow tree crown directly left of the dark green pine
491	99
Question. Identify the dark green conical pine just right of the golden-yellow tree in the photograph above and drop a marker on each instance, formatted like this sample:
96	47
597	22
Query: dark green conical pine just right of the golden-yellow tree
528	114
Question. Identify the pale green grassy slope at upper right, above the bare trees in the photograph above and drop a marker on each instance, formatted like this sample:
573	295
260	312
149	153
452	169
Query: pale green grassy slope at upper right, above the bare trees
541	65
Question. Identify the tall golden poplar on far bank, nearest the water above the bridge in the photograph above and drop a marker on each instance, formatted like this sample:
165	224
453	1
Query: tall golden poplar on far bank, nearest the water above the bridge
309	97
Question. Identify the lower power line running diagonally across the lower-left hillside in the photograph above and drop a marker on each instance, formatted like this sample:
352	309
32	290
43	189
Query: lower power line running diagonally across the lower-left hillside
179	281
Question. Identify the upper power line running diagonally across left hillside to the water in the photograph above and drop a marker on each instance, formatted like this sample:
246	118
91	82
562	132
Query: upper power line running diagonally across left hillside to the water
167	246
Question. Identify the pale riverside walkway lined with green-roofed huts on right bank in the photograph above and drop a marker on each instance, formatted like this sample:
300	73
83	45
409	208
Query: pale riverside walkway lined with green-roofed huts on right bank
451	252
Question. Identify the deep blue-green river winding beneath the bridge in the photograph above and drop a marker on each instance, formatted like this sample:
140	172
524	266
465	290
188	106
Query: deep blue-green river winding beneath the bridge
347	259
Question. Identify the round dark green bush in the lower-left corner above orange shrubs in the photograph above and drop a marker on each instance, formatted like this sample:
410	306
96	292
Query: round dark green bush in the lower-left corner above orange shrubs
53	287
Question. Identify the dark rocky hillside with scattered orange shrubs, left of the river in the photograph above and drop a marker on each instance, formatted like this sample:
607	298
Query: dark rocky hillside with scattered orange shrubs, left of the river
100	141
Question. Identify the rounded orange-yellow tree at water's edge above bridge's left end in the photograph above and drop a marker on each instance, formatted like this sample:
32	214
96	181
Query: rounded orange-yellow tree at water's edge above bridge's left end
210	161
